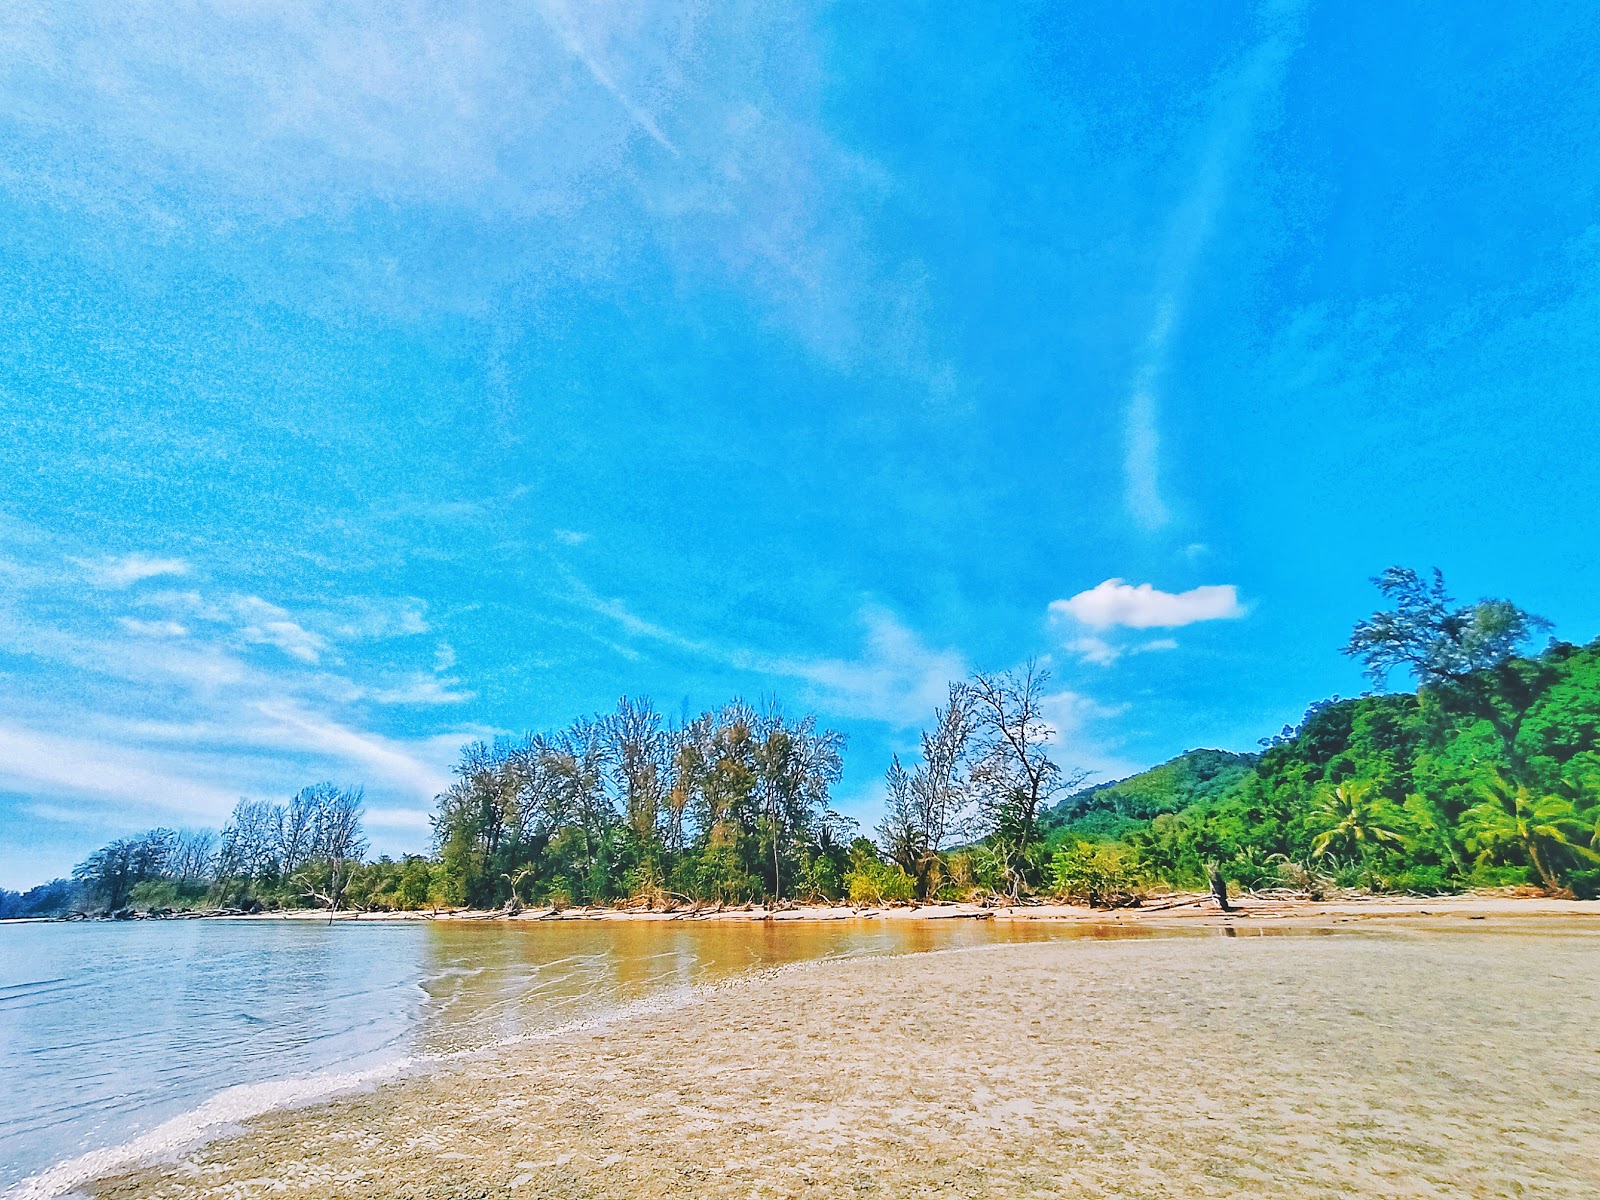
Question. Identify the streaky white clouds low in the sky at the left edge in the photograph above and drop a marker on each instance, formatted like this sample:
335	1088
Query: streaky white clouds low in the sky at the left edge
162	706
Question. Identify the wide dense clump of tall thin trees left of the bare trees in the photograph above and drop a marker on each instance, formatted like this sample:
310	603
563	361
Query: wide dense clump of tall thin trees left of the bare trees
734	806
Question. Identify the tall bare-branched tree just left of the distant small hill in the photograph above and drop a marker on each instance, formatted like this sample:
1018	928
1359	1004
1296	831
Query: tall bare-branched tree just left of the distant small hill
1014	772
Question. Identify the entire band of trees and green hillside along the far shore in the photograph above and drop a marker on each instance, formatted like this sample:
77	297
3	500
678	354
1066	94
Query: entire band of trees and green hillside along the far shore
1486	775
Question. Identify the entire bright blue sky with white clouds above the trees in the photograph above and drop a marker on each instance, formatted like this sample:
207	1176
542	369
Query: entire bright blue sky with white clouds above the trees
380	380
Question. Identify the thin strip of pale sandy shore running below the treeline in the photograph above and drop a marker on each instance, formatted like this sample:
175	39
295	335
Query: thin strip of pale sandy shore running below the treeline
1182	908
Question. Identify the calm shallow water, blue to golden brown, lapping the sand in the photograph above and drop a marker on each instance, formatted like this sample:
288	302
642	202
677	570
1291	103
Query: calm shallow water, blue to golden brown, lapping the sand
111	1030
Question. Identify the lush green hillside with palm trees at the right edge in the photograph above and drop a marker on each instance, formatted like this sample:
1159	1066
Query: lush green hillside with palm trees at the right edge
1490	780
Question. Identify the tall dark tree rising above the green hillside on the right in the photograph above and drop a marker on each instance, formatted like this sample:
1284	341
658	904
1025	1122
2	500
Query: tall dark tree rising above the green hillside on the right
1465	655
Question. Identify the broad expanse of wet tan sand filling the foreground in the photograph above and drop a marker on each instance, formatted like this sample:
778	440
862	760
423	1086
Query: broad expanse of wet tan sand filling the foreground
1407	1058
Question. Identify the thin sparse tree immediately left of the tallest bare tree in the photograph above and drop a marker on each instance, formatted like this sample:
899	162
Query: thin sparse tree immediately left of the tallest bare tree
926	807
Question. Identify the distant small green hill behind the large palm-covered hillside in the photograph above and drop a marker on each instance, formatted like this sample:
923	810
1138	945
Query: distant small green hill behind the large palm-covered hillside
1113	810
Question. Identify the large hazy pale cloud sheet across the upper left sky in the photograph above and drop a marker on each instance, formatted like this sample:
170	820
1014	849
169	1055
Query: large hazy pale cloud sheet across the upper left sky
508	126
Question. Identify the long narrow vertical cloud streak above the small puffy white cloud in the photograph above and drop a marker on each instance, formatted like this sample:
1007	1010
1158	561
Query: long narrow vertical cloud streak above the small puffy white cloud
1238	100
